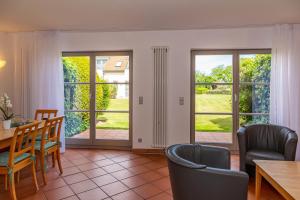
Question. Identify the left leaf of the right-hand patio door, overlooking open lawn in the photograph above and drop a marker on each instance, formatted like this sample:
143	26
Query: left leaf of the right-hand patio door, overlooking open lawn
213	97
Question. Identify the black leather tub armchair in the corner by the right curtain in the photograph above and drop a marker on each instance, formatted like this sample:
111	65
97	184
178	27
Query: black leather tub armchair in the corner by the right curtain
265	142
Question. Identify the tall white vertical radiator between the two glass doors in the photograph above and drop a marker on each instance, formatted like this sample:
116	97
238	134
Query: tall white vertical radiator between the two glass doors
160	96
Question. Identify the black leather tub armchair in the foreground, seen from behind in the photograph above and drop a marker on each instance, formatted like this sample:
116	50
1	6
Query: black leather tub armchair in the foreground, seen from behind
203	172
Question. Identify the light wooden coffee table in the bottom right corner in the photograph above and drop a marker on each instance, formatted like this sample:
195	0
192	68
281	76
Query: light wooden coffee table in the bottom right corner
284	176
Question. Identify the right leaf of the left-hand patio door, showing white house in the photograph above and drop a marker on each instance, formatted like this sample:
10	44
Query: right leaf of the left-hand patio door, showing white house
112	108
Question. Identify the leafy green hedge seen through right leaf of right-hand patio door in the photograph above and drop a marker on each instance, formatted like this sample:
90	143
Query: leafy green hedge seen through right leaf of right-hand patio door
254	87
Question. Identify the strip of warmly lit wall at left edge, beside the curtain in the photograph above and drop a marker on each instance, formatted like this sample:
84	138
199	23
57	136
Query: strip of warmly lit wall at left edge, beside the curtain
6	73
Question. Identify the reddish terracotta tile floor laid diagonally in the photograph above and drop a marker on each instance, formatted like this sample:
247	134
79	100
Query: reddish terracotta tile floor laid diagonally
109	174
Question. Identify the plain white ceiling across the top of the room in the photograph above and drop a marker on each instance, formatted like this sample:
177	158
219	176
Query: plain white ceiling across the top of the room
121	15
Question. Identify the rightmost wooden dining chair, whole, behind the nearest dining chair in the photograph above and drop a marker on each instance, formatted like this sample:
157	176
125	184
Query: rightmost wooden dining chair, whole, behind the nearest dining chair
50	144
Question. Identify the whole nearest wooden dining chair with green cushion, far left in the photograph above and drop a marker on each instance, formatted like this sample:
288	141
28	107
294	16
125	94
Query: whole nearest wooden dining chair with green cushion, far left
21	155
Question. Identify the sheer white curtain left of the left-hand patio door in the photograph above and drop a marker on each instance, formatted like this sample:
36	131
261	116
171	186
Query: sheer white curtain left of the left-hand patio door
38	73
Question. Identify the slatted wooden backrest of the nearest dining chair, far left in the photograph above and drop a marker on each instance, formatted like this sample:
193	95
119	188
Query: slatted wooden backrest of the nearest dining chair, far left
23	141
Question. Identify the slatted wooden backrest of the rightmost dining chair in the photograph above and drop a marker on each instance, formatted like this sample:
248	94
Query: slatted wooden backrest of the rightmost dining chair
51	130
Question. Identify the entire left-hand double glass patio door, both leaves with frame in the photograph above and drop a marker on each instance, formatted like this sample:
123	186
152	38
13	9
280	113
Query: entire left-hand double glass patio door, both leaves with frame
98	98
